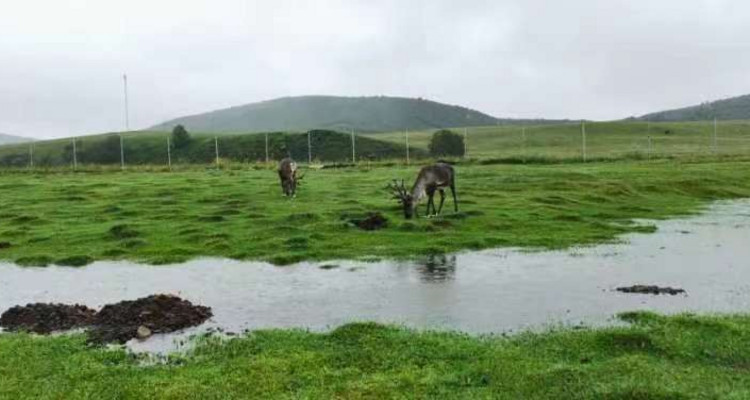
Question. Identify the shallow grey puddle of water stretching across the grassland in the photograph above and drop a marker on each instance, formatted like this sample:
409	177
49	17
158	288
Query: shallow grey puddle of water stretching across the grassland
479	292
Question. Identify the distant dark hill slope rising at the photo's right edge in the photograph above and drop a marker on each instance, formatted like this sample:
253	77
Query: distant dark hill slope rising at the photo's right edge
735	108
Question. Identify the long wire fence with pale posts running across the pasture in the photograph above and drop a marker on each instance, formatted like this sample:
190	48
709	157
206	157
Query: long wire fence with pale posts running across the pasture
573	142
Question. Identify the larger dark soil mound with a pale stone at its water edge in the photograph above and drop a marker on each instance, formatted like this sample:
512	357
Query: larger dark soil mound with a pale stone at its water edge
160	313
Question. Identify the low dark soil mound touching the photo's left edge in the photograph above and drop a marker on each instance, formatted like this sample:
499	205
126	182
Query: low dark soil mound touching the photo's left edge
46	318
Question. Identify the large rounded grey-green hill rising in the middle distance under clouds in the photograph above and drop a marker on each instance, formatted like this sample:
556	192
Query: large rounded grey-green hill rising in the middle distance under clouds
363	114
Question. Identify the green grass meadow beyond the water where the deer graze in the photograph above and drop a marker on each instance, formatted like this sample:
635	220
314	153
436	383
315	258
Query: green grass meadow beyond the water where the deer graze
73	219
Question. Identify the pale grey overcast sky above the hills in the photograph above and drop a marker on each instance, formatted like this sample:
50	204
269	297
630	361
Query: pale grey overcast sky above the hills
61	61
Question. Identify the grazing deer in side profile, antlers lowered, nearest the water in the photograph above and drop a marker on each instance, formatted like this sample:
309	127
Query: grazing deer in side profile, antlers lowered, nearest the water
430	179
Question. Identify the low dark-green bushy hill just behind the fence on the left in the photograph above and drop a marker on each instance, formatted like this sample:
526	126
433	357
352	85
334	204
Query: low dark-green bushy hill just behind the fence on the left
150	148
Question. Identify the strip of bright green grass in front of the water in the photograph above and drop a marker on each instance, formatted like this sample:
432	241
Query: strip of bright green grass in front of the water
677	357
